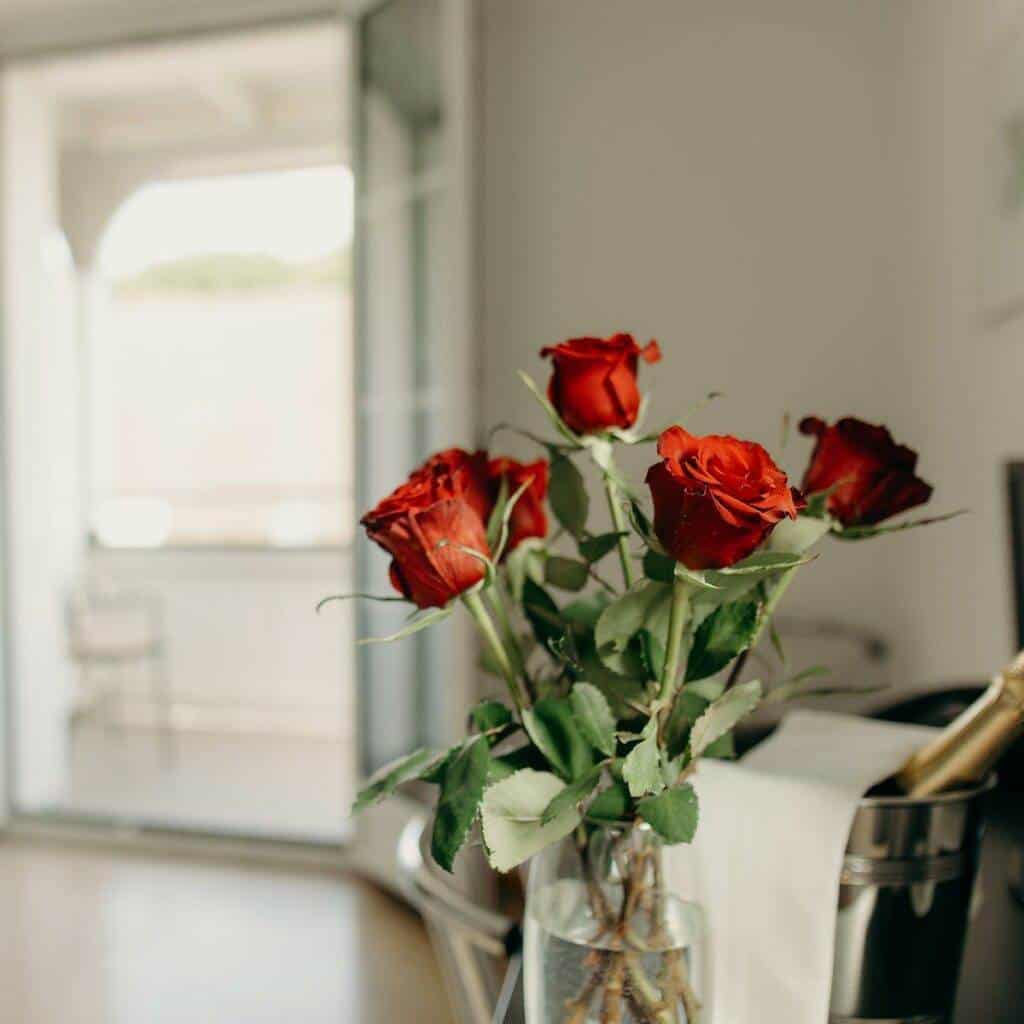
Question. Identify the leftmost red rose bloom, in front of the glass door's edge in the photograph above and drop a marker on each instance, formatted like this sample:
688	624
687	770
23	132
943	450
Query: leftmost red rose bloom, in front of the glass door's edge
441	502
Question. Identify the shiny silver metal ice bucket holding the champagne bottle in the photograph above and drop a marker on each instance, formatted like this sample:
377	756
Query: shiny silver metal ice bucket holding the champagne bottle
904	904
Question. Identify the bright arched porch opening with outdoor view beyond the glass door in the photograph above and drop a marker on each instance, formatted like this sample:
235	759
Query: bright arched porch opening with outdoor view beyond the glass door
225	313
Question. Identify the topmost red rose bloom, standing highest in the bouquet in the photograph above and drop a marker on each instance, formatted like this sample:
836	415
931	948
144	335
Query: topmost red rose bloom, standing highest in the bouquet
594	385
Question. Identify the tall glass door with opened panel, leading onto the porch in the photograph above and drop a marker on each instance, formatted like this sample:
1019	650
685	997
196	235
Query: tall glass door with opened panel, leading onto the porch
237	311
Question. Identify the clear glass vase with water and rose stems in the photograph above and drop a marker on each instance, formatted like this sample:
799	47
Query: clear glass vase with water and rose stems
606	942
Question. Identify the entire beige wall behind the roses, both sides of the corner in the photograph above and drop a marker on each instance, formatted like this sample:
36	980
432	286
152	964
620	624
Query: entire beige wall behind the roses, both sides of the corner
789	197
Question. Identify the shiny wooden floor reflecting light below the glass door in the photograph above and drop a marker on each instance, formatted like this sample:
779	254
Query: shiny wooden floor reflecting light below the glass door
98	937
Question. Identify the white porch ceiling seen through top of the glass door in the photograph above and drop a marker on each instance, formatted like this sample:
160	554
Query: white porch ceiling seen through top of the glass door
244	91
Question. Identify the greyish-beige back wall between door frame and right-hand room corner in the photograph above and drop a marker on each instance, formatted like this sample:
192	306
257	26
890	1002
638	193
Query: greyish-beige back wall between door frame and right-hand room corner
729	178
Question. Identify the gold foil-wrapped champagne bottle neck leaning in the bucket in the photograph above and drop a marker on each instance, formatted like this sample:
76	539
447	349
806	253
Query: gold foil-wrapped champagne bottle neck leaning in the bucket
969	748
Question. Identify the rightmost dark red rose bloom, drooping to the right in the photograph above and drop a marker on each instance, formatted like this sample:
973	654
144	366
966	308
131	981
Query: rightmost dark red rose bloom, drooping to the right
873	478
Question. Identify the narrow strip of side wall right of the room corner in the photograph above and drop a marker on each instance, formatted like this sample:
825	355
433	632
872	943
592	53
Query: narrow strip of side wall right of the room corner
966	381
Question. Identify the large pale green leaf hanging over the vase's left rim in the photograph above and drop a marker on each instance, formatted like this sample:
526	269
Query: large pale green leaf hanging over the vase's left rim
511	818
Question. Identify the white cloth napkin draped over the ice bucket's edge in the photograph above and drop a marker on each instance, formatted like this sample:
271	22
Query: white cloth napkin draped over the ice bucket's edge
767	859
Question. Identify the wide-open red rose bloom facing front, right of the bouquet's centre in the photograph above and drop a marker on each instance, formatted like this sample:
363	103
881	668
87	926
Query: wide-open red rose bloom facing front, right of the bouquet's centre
716	499
